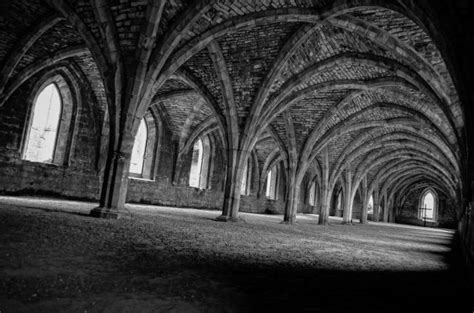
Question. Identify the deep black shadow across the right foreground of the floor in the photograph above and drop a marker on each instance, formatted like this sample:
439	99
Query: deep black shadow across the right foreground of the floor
248	287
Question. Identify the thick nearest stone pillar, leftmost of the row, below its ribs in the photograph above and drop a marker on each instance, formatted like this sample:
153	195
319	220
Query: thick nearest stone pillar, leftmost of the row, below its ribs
114	187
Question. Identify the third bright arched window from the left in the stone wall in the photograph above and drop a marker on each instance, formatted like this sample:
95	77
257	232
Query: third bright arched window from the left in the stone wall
199	173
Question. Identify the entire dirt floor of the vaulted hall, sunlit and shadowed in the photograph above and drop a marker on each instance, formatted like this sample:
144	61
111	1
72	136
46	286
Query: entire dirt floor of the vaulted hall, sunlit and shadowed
54	258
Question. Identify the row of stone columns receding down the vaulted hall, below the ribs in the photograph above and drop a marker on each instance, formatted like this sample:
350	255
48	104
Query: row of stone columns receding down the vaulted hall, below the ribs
112	201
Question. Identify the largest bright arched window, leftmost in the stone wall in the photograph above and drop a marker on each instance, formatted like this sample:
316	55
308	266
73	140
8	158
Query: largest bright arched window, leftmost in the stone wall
44	125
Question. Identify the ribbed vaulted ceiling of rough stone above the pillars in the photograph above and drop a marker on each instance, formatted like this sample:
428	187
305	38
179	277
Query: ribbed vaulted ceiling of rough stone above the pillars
368	83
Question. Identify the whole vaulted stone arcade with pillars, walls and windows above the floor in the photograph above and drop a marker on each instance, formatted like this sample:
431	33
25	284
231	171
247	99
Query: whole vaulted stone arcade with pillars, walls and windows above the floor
358	109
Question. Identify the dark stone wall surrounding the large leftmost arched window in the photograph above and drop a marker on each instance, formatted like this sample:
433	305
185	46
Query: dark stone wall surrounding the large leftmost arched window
77	177
